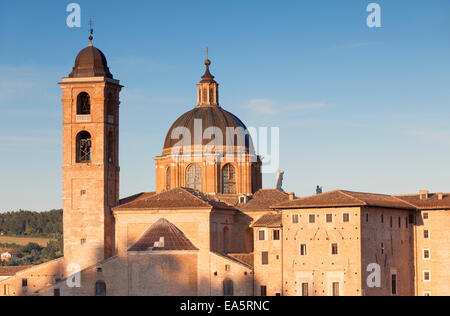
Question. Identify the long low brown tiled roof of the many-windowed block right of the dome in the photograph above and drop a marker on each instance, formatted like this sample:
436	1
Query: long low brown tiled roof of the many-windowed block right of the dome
341	198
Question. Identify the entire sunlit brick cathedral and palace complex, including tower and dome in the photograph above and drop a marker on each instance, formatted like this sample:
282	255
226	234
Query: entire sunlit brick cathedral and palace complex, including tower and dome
210	229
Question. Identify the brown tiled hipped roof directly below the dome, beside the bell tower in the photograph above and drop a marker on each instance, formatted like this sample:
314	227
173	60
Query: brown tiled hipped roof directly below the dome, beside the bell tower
178	198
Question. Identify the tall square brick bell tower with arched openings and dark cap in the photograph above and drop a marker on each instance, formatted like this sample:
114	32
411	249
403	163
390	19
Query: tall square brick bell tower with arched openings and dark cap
90	158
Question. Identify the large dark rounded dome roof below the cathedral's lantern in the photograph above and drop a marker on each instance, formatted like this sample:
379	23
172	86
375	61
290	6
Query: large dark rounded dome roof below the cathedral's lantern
210	116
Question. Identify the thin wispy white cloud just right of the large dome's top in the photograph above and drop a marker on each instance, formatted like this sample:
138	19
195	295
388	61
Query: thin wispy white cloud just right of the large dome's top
272	107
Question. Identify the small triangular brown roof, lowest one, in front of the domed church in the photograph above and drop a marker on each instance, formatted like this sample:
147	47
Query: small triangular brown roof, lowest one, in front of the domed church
163	235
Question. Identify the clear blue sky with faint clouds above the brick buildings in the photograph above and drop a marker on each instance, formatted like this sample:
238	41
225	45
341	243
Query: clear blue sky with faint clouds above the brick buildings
358	108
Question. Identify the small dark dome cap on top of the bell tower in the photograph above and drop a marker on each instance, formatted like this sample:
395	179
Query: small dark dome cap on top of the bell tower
90	62
